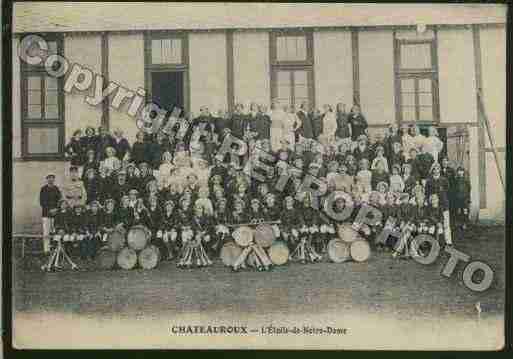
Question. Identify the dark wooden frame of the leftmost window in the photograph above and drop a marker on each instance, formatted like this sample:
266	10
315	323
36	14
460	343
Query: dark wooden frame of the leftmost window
27	123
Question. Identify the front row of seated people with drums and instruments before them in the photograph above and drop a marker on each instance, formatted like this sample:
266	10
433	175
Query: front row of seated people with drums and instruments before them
260	234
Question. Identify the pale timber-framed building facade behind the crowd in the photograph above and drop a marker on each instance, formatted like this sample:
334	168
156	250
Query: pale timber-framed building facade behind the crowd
414	67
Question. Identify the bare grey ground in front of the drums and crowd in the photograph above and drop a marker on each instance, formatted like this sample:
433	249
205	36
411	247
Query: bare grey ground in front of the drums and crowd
400	288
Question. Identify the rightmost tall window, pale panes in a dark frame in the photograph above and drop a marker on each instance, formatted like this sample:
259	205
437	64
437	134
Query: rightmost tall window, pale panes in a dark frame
416	74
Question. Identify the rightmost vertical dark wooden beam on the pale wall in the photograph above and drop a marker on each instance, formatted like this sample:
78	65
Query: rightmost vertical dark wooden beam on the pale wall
481	130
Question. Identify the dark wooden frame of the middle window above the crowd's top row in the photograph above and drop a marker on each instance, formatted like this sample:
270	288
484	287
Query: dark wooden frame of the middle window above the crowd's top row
306	65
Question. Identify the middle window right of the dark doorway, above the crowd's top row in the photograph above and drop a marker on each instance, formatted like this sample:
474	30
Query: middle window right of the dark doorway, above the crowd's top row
292	68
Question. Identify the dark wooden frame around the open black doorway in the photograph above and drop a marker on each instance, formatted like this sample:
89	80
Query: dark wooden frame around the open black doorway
149	67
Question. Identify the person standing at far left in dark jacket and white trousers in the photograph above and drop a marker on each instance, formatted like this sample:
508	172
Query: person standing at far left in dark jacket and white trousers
49	198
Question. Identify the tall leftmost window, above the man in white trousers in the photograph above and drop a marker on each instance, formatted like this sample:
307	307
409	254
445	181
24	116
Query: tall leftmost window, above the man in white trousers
42	110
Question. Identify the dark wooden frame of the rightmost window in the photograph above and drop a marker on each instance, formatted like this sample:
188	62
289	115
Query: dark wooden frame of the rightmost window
416	74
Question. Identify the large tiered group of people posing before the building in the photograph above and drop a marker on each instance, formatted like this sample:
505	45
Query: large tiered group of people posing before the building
176	184
